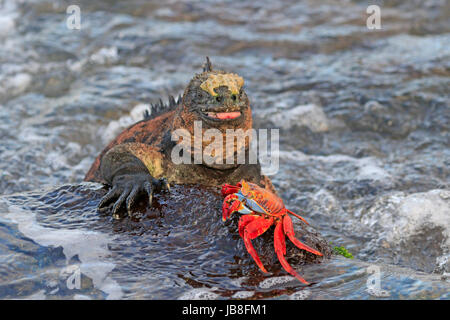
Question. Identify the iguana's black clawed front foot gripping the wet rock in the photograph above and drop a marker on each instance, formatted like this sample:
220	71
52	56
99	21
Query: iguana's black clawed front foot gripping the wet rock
127	188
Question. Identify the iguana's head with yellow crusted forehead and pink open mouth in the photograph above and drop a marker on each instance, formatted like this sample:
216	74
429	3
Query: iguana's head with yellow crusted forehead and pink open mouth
217	99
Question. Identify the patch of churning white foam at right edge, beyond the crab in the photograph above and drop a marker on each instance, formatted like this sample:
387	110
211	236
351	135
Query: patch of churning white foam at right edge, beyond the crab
416	227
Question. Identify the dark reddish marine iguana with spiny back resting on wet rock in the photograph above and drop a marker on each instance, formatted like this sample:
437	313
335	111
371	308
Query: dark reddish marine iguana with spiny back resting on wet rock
139	160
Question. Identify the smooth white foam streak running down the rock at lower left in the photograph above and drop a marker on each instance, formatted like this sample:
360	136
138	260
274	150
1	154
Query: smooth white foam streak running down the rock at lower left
91	248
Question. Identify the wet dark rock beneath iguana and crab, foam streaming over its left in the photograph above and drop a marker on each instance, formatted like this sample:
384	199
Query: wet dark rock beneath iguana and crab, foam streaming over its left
164	251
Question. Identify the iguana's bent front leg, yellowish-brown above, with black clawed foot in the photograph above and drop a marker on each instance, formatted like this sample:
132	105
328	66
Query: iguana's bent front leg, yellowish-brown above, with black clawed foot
131	169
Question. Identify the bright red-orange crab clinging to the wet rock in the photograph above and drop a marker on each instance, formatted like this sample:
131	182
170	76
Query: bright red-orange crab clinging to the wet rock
262	209
